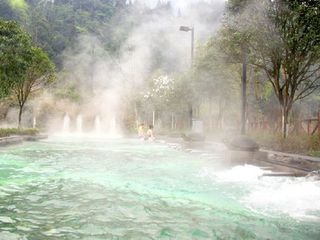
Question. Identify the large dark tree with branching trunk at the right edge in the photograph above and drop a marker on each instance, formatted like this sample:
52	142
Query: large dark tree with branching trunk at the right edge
283	41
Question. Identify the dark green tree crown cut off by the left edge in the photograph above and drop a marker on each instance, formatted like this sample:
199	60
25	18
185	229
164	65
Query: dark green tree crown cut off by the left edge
15	55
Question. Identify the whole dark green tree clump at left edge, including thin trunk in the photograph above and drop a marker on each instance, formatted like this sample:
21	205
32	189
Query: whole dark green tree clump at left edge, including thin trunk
24	68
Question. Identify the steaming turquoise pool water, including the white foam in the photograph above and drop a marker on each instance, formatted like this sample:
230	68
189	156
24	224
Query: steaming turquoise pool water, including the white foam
129	189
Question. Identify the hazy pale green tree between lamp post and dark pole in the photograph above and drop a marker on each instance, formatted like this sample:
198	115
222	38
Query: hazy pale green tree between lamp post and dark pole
215	80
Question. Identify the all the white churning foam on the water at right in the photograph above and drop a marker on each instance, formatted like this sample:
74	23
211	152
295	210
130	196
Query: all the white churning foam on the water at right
298	198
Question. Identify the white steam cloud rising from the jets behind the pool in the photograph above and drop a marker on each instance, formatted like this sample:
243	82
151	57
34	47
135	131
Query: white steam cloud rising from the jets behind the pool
107	81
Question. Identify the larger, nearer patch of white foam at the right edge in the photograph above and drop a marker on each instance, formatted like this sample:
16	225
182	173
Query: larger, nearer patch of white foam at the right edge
298	198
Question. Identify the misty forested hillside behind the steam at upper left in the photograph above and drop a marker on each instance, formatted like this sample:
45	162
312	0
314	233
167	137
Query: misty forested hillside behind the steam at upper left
56	26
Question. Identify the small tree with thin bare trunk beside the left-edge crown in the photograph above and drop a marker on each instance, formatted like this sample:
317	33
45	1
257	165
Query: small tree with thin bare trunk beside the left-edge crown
39	74
